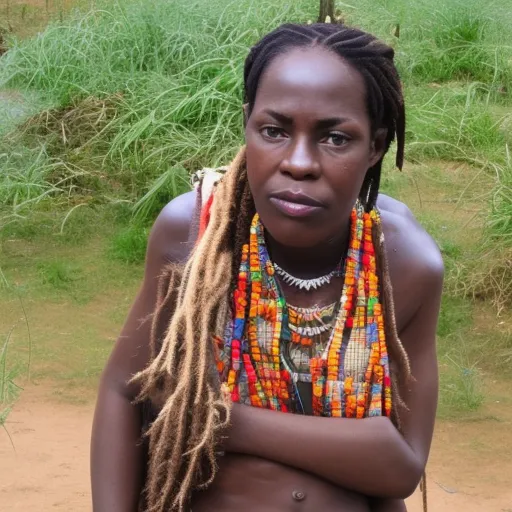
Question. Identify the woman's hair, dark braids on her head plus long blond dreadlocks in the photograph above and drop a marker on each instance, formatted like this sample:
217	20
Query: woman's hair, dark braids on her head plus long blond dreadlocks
181	380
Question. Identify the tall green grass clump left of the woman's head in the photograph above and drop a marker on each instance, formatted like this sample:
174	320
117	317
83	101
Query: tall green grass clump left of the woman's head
141	90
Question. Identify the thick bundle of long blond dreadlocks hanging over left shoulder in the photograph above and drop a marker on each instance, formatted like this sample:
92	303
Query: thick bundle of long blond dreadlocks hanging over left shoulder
180	380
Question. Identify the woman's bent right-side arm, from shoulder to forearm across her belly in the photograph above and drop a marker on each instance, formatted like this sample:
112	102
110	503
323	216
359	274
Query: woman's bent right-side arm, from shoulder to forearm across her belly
368	455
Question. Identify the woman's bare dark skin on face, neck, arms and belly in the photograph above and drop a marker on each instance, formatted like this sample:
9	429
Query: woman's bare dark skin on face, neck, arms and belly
337	464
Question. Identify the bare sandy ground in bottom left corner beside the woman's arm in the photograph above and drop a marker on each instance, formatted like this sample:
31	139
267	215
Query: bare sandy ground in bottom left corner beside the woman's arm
50	469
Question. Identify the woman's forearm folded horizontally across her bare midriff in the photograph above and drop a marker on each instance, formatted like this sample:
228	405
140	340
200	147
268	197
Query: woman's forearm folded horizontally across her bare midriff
368	456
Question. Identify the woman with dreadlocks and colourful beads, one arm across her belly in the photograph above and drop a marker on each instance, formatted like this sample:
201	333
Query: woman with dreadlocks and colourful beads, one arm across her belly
284	298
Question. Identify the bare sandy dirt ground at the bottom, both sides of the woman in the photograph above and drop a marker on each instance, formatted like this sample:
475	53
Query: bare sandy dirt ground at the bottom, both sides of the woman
470	468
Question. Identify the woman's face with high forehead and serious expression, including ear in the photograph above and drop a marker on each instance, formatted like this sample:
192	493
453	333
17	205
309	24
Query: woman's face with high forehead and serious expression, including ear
309	145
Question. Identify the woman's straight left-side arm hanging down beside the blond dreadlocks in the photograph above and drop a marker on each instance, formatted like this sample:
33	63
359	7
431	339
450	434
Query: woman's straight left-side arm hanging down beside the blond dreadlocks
118	460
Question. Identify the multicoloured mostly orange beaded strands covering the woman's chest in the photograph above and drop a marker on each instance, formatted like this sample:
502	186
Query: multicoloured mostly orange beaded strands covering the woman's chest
349	371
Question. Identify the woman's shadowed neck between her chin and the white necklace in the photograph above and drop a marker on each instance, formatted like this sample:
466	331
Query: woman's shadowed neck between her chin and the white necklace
309	262
